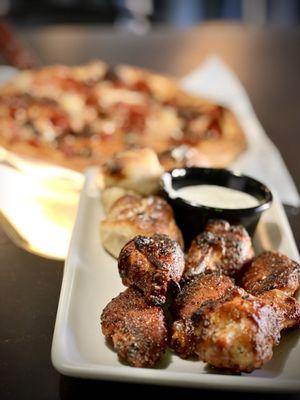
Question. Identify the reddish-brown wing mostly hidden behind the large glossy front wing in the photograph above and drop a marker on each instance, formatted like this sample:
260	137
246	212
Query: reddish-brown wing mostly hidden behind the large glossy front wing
196	292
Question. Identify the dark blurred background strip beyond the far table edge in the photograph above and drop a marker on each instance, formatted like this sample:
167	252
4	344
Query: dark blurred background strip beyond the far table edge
180	13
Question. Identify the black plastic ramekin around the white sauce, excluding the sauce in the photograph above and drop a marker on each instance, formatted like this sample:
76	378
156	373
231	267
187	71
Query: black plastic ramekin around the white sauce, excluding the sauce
192	218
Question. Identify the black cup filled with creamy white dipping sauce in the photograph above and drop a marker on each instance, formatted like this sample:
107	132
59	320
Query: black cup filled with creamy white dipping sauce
199	194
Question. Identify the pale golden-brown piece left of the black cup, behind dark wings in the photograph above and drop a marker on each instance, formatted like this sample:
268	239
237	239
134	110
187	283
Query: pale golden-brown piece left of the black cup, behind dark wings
133	215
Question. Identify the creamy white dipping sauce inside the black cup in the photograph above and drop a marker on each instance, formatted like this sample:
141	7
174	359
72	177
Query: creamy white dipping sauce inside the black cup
216	196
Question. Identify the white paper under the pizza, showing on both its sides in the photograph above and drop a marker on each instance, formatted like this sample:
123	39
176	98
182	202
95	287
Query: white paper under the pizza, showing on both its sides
38	201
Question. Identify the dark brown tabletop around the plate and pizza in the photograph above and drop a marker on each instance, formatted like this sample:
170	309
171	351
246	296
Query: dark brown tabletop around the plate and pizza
267	61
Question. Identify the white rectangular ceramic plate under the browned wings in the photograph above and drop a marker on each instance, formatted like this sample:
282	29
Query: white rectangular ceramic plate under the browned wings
91	280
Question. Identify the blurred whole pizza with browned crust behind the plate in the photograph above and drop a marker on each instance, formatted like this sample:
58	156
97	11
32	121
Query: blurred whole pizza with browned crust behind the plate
81	116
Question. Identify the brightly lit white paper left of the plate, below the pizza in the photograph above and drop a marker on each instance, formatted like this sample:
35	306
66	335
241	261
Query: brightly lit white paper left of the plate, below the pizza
38	212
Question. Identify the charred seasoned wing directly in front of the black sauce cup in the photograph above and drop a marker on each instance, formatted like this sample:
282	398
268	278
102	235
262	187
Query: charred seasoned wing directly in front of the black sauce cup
221	247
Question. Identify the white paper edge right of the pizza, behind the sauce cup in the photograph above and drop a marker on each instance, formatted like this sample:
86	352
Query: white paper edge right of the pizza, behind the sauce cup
262	160
